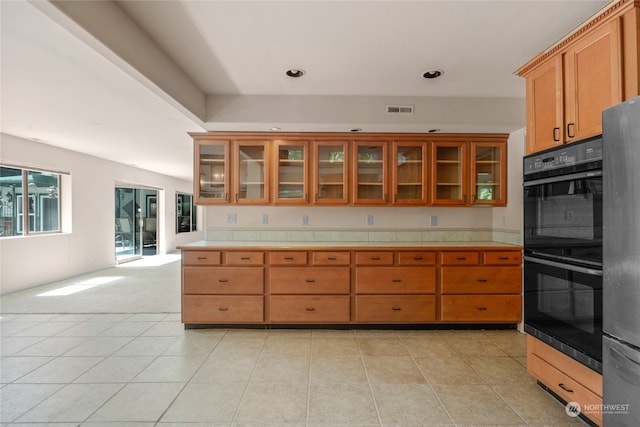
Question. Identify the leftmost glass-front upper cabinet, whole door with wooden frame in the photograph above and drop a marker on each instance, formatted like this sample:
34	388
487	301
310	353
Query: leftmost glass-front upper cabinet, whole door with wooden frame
212	171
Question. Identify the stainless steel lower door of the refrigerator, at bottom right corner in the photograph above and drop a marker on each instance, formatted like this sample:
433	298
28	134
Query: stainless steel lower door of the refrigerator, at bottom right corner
622	384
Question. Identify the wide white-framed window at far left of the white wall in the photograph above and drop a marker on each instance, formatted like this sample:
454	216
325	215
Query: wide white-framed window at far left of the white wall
32	208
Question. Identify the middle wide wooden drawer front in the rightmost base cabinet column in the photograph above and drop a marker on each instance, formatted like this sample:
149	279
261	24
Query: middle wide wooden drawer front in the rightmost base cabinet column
481	280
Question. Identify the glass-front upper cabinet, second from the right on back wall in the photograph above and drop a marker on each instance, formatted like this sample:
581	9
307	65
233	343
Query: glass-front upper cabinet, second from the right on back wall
449	173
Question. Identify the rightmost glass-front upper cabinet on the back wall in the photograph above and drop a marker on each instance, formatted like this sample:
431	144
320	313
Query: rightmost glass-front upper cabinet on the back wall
488	173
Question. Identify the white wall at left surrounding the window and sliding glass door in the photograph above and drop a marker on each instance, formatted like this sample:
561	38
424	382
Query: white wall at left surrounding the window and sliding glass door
89	244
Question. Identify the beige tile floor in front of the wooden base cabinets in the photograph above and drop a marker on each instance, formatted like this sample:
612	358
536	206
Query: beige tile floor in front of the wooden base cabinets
145	369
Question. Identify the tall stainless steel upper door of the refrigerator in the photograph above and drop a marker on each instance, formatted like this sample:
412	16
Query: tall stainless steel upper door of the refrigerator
621	221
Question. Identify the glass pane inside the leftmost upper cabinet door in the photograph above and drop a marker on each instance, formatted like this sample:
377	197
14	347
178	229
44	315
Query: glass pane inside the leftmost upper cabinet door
213	167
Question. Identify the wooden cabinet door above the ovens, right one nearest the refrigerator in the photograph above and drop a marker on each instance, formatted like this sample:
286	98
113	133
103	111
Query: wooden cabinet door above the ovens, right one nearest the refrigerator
593	81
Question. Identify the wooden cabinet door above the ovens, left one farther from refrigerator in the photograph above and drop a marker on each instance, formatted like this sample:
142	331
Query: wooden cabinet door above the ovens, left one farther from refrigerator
545	109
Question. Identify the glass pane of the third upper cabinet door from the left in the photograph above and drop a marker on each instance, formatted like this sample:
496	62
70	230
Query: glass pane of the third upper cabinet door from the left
292	173
